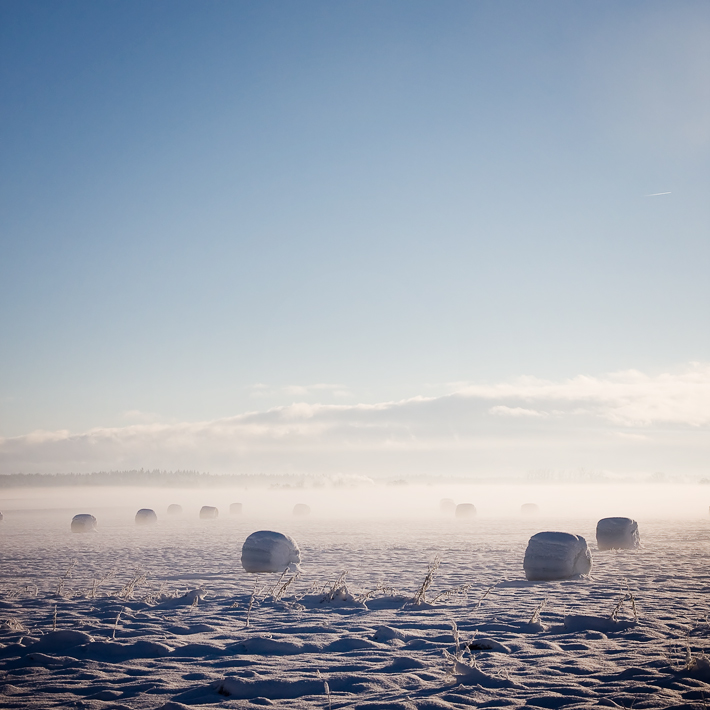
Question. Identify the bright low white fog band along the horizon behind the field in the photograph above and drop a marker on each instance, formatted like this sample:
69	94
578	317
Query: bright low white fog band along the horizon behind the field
377	500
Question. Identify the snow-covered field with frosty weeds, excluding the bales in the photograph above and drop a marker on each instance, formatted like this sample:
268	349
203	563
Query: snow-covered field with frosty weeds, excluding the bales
132	617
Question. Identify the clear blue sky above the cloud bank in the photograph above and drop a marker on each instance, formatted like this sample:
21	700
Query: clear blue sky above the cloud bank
213	208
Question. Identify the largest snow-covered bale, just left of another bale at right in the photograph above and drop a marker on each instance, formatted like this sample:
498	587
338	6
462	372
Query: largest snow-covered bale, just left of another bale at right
555	555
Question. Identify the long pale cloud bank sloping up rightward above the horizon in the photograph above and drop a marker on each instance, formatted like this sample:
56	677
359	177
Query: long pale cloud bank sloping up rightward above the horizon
623	423
